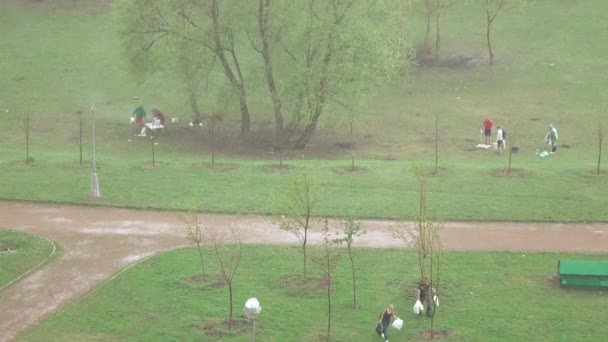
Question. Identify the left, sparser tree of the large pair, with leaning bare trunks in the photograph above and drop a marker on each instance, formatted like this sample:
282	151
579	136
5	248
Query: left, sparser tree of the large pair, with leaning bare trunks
190	39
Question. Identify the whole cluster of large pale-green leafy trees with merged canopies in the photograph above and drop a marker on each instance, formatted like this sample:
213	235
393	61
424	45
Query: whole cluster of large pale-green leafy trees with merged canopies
315	55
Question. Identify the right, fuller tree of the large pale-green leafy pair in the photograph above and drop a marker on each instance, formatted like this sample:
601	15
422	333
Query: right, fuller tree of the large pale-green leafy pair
318	53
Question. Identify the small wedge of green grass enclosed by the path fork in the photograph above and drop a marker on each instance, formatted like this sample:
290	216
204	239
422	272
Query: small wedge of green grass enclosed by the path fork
19	253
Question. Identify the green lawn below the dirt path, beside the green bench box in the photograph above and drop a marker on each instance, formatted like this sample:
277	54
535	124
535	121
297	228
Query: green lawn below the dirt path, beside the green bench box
483	297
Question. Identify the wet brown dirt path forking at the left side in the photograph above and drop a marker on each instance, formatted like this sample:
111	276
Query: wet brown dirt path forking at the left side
97	242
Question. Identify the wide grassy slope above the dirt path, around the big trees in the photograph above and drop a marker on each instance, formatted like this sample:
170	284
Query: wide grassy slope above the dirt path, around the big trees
68	58
